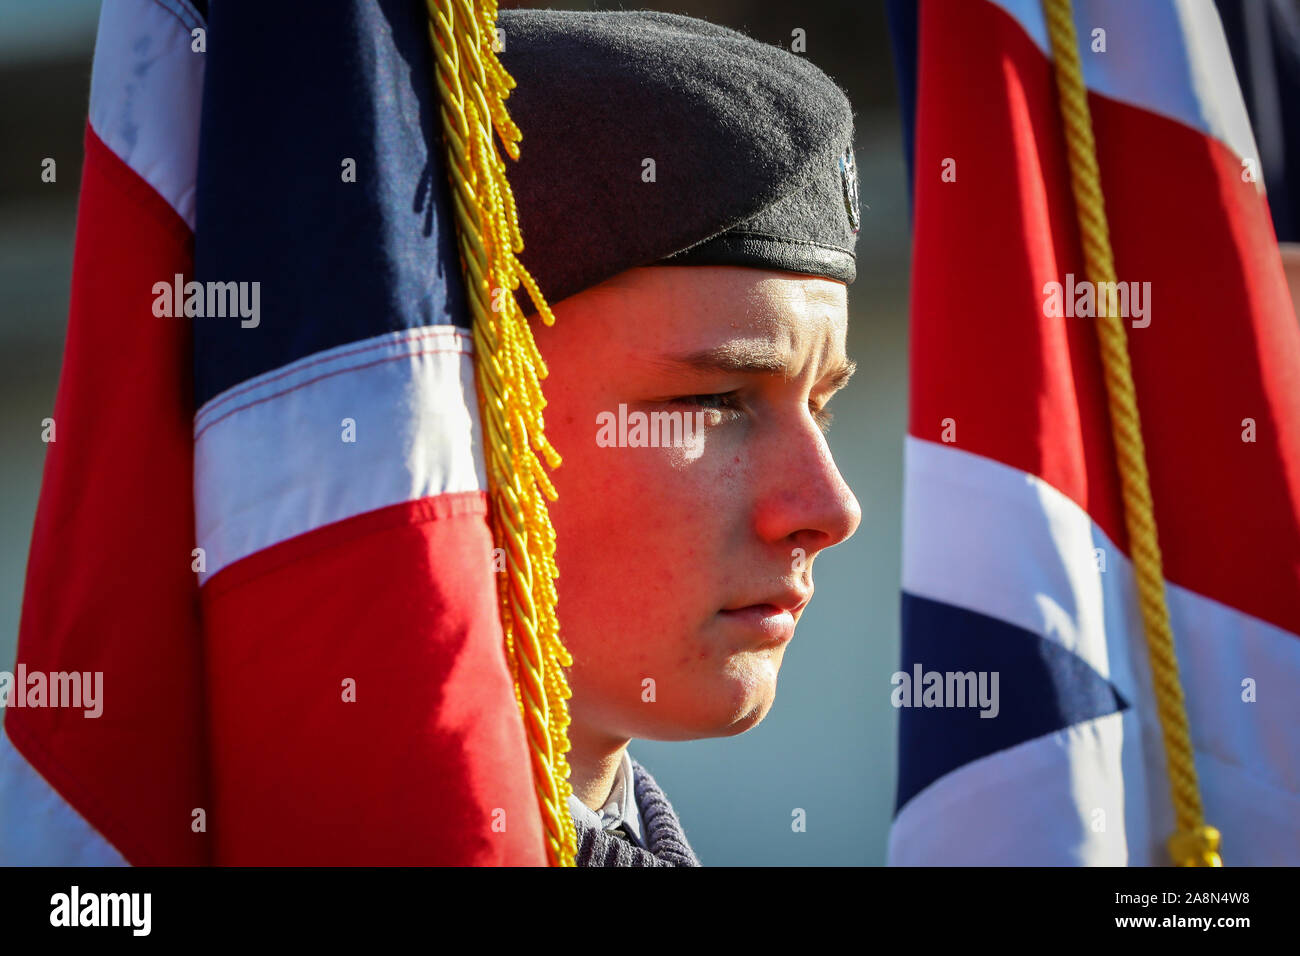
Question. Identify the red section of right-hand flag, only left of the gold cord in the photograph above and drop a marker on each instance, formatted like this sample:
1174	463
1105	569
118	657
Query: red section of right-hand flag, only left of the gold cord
1021	390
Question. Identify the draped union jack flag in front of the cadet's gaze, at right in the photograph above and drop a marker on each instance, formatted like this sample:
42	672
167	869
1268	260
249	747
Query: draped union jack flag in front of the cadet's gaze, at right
1017	560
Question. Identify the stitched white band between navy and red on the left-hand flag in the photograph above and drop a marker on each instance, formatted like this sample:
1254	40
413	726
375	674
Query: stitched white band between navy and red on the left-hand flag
271	461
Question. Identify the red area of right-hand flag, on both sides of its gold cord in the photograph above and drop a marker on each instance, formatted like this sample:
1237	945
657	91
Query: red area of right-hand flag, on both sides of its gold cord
1028	391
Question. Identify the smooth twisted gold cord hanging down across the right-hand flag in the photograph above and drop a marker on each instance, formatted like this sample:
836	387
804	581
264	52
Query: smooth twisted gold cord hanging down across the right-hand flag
1194	843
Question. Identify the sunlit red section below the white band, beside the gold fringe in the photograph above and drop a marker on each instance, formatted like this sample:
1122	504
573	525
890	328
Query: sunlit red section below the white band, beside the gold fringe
430	764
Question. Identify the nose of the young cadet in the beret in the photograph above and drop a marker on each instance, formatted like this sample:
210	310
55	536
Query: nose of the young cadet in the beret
805	501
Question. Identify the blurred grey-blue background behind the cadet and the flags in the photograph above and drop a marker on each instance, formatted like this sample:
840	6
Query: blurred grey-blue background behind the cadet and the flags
829	745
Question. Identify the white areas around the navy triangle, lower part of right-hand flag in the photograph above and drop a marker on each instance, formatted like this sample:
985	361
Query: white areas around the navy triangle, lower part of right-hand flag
991	539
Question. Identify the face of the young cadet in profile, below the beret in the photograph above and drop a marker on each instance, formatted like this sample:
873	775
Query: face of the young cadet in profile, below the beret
688	566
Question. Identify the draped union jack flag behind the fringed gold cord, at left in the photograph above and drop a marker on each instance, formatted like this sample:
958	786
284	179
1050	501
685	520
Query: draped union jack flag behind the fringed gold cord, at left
265	517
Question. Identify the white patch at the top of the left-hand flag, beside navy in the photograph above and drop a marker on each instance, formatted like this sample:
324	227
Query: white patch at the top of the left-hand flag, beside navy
146	96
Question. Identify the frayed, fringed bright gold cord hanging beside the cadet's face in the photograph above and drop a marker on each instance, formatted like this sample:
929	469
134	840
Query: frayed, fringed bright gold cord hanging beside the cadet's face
473	88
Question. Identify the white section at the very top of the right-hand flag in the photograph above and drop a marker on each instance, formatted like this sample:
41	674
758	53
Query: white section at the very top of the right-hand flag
1167	57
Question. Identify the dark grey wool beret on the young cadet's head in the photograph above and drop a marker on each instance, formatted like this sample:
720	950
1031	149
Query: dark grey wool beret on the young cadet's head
752	150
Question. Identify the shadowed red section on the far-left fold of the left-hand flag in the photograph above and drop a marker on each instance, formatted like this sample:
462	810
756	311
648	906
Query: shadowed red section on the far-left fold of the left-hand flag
110	583
